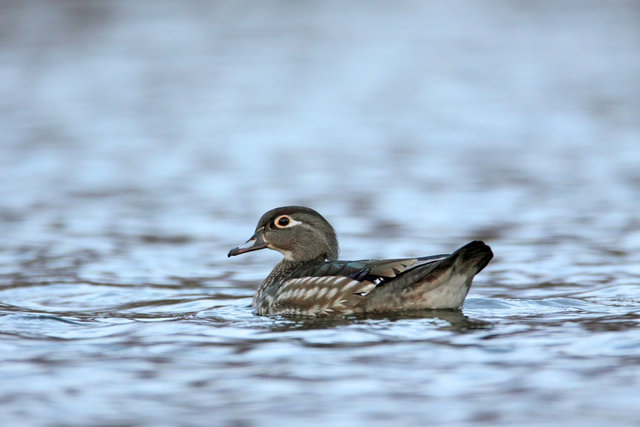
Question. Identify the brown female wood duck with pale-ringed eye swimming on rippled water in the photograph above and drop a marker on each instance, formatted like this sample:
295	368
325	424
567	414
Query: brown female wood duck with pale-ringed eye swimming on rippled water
310	281
